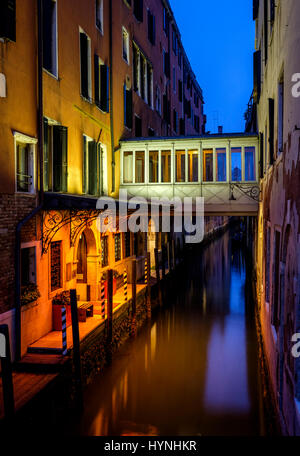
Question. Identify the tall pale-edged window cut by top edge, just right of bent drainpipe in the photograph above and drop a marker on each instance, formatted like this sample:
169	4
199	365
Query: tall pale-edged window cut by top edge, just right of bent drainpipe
50	36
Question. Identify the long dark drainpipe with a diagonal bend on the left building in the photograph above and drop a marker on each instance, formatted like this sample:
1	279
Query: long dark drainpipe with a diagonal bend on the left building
18	323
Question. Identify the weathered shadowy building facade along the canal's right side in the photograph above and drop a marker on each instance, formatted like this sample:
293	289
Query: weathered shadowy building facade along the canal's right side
276	98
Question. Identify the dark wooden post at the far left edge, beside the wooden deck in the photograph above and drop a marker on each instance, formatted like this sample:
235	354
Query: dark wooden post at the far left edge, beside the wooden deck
7	379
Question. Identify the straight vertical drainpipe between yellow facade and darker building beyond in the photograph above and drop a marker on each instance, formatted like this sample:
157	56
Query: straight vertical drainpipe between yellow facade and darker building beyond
112	139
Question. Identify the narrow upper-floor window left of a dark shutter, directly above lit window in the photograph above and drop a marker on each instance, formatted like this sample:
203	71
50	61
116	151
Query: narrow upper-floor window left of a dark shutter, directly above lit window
85	66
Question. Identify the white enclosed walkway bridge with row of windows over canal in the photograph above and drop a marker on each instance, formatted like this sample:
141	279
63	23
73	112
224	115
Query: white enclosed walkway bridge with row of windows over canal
221	168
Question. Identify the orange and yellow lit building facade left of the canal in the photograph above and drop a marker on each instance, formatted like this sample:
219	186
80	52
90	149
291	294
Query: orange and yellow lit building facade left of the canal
88	75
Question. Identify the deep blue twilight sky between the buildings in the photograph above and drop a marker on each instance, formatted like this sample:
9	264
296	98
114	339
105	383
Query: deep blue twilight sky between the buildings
218	37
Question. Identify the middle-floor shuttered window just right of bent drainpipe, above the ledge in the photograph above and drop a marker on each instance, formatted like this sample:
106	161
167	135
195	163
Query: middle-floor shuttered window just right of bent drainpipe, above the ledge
55	157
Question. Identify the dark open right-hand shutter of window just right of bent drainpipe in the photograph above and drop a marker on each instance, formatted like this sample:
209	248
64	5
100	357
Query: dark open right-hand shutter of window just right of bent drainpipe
60	158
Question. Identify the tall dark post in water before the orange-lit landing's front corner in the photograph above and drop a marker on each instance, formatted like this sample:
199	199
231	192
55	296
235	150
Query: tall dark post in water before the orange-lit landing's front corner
76	349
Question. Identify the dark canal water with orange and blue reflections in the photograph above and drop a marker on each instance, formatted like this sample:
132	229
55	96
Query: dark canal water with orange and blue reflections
194	369
